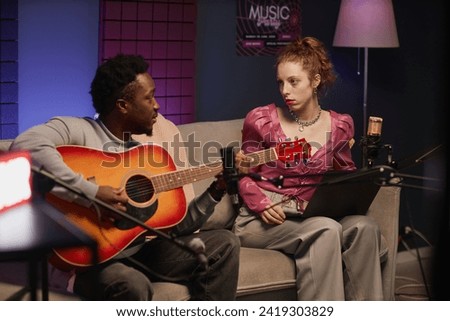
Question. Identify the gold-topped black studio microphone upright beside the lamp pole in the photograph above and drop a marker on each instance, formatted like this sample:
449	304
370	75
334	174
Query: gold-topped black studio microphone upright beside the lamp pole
371	143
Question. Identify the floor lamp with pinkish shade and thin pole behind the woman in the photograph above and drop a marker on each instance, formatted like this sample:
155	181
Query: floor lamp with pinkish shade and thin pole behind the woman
366	24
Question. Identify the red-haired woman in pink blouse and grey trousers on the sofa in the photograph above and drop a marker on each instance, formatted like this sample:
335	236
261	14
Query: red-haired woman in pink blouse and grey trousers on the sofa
335	260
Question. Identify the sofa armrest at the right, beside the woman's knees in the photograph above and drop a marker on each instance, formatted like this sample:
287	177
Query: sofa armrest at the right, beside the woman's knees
385	209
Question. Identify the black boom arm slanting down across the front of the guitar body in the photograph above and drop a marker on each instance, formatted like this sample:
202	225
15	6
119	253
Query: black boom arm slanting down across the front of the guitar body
198	251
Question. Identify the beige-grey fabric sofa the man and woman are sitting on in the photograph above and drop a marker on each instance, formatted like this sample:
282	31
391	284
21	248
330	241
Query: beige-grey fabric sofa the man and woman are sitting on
266	274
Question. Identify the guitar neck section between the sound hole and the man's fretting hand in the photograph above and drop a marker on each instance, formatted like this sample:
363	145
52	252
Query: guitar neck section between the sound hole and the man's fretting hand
171	180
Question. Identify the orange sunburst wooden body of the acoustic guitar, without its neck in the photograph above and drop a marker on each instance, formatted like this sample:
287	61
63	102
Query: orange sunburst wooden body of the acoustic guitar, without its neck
133	170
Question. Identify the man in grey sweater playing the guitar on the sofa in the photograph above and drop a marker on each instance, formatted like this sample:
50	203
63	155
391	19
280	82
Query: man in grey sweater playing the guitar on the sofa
123	94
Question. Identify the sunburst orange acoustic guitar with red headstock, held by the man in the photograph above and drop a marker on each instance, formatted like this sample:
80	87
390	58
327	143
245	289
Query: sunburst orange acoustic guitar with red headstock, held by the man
153	185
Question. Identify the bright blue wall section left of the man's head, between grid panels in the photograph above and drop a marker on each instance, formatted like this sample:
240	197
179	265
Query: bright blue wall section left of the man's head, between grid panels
58	52
